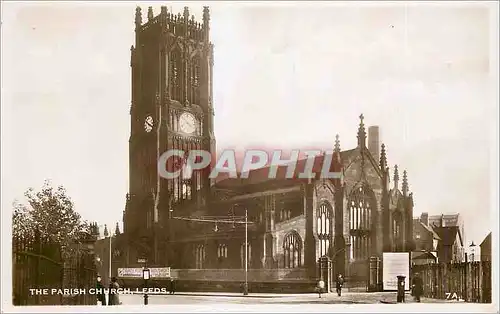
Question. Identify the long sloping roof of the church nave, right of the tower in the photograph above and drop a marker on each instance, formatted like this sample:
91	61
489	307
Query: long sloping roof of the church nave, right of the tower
261	175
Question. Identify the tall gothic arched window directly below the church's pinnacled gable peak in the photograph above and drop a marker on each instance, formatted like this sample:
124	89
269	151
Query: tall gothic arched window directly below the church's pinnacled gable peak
360	222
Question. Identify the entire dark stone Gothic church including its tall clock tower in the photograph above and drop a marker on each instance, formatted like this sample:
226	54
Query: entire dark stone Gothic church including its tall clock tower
186	223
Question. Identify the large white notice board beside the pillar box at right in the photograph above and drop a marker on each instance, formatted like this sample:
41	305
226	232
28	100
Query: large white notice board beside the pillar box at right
394	265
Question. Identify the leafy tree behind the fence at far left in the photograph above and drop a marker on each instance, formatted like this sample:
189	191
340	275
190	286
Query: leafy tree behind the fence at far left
51	212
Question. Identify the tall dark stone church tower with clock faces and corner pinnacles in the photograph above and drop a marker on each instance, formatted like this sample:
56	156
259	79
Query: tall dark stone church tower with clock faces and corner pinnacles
171	108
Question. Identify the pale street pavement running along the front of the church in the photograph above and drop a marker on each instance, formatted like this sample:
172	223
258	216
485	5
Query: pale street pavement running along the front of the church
265	298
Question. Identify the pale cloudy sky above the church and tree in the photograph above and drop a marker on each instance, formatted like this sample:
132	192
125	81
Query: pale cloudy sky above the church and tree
285	75
